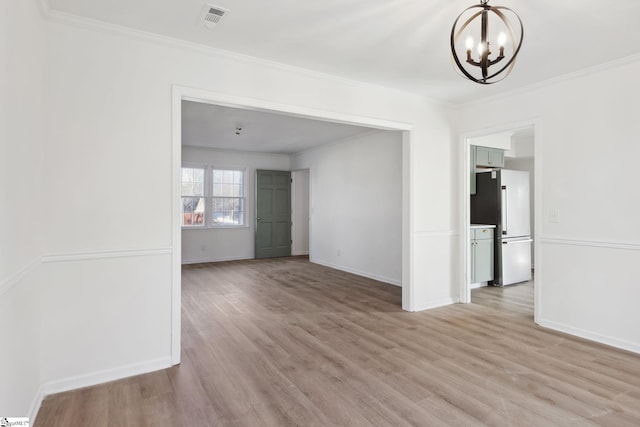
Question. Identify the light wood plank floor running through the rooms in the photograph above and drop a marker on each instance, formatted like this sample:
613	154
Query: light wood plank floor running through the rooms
286	342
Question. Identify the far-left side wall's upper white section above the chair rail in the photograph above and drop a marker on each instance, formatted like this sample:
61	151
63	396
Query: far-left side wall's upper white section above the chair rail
21	126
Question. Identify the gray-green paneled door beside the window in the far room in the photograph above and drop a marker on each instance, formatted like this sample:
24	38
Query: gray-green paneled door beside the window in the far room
273	213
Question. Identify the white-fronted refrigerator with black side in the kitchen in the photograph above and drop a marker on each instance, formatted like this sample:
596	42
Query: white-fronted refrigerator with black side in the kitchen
502	199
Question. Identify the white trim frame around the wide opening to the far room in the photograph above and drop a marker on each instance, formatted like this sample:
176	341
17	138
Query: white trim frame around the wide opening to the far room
180	93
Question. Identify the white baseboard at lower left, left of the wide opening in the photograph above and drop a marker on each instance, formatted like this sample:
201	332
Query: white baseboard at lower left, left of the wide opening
94	378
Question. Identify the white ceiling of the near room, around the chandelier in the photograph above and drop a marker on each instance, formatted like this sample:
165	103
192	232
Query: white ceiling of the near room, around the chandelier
402	44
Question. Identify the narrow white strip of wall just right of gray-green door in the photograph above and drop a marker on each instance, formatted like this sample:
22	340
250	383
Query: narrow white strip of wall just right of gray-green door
300	218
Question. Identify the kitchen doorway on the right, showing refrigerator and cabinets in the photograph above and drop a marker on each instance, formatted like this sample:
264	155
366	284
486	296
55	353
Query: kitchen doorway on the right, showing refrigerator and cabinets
500	222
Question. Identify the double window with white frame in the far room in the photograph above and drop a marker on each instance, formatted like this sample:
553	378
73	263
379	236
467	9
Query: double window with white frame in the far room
213	197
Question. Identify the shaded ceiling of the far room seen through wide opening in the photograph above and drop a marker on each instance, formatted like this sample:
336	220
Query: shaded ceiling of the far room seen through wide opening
215	126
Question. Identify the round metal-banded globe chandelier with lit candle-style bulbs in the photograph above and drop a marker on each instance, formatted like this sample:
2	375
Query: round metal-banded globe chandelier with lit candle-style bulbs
472	36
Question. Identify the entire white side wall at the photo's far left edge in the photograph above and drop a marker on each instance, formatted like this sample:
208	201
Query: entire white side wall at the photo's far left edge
21	208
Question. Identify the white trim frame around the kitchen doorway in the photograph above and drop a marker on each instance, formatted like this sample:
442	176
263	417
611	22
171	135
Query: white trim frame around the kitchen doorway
465	205
